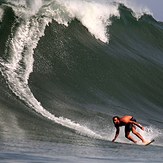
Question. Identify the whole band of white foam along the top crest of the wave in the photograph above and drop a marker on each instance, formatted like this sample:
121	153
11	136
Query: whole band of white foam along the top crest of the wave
93	14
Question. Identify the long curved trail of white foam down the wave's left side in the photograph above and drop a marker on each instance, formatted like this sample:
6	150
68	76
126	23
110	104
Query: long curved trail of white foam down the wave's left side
24	37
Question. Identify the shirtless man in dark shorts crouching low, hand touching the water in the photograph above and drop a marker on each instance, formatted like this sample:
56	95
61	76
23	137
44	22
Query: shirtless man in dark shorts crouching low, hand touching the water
130	125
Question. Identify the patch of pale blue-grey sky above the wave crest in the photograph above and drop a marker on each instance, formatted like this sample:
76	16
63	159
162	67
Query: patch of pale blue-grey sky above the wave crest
155	6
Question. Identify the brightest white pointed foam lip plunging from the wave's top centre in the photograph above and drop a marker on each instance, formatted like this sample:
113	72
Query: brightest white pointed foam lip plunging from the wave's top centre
93	15
